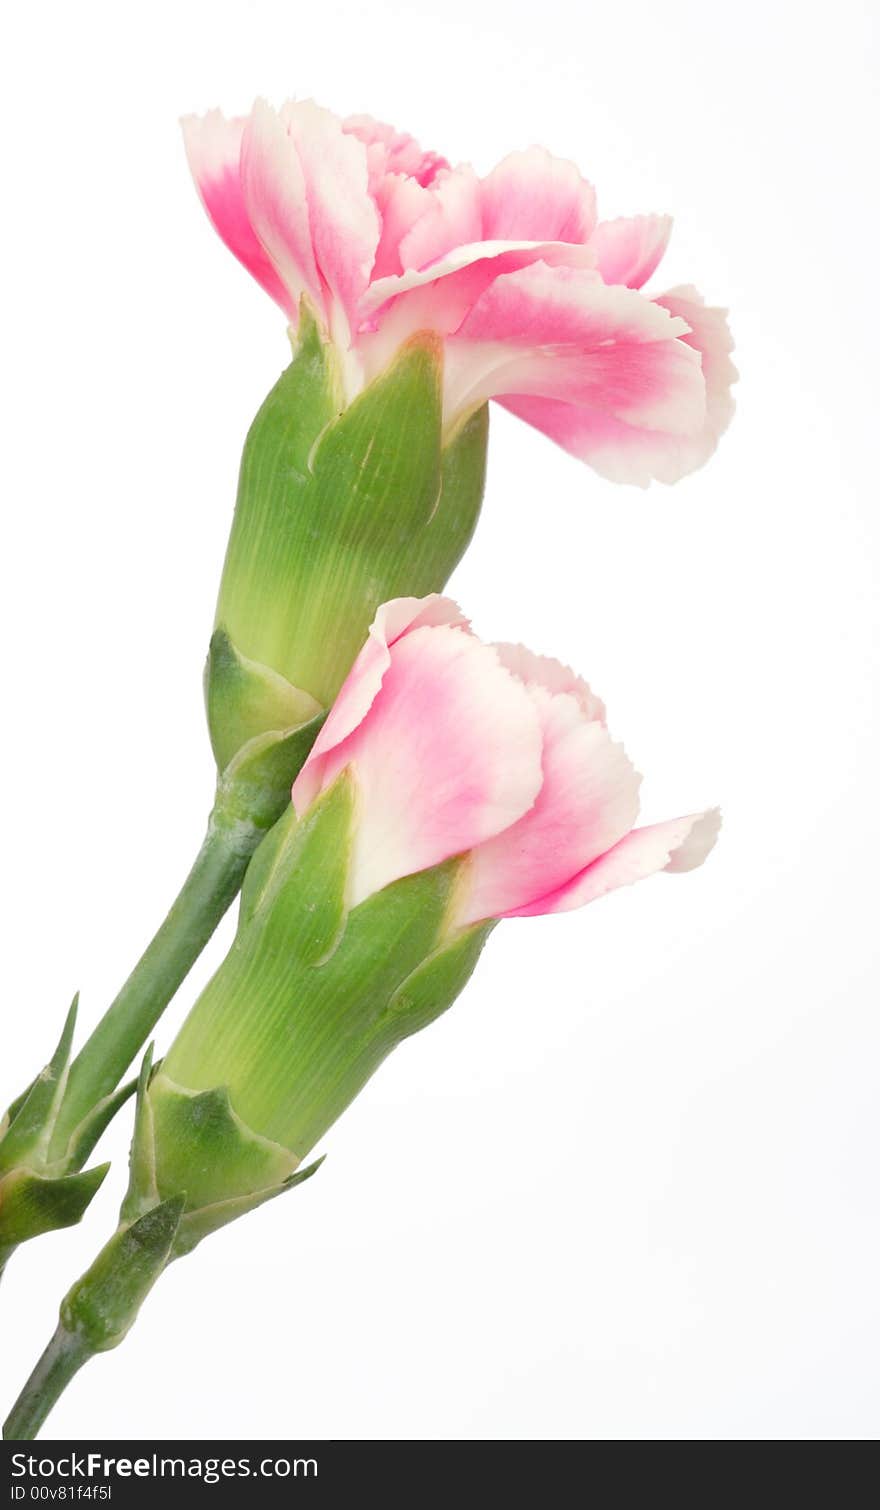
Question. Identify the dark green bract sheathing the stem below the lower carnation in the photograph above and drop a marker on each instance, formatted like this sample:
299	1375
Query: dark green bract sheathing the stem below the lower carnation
105	1302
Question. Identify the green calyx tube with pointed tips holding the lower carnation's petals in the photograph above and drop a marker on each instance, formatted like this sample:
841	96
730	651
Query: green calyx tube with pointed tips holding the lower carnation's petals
300	1015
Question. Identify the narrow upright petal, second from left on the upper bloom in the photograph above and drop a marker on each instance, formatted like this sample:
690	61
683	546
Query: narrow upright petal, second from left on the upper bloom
277	205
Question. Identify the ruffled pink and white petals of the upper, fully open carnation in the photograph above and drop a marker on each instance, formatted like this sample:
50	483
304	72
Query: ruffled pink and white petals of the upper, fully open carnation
538	303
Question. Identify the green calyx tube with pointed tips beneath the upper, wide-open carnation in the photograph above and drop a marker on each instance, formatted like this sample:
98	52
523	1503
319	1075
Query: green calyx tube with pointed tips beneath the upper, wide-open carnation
340	510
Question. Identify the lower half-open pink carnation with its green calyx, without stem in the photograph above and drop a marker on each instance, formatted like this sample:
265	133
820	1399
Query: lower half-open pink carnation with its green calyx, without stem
452	784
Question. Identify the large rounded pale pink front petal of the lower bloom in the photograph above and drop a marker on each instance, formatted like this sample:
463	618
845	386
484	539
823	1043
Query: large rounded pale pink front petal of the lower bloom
448	756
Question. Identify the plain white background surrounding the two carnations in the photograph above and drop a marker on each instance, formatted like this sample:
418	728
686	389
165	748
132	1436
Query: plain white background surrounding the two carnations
629	1186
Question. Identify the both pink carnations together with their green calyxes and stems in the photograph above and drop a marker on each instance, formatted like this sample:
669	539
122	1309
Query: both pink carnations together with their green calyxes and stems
389	786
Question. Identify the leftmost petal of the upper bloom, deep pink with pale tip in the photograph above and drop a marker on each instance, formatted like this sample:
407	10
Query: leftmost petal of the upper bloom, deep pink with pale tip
214	147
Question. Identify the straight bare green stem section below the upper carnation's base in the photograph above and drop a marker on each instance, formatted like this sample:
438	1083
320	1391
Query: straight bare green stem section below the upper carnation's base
206	895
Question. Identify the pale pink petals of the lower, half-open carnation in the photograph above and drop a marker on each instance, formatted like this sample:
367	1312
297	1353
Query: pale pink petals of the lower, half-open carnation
461	748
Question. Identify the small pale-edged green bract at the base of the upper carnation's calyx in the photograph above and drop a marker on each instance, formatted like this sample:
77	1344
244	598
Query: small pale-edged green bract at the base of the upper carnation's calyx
247	700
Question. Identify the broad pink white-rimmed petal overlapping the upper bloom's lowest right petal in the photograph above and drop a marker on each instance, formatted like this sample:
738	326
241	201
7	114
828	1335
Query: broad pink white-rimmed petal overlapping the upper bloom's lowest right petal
561	333
